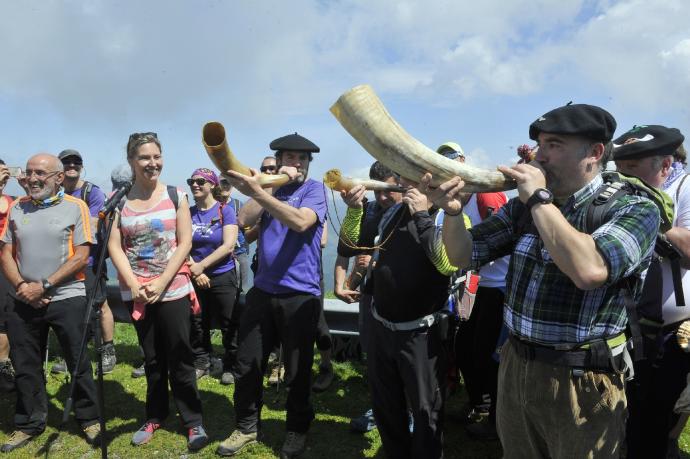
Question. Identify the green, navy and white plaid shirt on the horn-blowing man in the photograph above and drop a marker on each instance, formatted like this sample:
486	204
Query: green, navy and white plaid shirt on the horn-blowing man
542	304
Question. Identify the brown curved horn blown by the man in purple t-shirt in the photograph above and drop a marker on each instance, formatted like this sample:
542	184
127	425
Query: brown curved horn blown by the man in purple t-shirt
216	145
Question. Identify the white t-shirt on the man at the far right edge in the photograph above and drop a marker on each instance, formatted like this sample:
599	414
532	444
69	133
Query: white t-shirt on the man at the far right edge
681	218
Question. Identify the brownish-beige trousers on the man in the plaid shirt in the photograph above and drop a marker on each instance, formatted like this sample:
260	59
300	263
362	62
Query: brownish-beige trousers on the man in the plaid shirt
544	411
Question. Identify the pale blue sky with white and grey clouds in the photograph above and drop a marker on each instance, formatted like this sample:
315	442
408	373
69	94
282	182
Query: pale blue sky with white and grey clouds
86	74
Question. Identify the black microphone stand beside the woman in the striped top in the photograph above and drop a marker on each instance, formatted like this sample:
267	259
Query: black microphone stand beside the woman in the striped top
98	338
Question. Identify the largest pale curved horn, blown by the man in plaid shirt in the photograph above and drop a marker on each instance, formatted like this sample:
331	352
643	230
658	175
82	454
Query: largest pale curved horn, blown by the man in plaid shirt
363	115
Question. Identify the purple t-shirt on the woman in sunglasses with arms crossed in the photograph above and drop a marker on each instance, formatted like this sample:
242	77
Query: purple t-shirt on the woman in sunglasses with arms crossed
207	235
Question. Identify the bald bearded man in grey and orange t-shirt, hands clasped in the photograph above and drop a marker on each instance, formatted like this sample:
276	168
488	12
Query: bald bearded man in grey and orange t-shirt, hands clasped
45	249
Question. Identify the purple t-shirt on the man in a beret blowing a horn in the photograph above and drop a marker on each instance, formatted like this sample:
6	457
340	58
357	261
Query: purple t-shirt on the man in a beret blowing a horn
290	262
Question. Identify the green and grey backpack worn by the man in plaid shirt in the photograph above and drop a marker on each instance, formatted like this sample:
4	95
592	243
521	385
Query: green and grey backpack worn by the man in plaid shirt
647	312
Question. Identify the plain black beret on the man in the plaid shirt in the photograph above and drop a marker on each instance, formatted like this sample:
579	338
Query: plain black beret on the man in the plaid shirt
576	119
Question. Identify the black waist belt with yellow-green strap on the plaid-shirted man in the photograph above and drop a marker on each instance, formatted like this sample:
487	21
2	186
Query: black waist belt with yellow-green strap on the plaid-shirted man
581	357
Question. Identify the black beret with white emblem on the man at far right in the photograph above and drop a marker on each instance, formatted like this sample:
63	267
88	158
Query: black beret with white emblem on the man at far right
644	141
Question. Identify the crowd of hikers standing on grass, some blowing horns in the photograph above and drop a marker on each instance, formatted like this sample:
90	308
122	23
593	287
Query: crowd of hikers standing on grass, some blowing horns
562	309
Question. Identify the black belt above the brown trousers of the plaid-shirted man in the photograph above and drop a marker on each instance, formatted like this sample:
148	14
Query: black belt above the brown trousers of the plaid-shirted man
584	358
